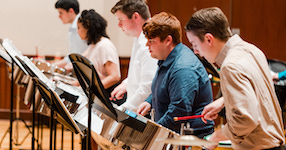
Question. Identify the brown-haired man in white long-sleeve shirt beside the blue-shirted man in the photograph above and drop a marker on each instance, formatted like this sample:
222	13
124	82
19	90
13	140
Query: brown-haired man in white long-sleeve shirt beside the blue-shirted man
132	14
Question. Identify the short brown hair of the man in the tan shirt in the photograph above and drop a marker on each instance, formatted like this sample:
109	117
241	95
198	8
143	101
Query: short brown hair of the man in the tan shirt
209	20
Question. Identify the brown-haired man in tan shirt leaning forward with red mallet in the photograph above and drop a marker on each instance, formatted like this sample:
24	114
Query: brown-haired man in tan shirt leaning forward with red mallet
253	114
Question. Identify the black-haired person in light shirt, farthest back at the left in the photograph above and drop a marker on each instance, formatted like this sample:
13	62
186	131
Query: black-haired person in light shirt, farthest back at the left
69	14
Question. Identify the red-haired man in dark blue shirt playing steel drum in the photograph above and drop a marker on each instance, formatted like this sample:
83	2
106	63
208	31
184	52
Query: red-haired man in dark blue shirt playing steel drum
181	86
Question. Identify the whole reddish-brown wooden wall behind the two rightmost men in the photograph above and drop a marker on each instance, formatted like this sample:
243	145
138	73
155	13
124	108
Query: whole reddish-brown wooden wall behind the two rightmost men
261	22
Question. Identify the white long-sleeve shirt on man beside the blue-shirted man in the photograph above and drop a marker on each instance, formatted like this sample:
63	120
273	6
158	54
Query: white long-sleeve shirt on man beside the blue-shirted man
142	69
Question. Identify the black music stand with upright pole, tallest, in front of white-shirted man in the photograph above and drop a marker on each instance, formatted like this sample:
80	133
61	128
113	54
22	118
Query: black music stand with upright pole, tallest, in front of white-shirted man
90	82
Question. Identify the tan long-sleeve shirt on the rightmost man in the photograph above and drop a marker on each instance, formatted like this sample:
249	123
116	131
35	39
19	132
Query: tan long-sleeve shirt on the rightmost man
254	117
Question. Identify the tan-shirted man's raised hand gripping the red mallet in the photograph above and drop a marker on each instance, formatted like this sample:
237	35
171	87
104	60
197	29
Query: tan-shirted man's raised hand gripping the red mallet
211	111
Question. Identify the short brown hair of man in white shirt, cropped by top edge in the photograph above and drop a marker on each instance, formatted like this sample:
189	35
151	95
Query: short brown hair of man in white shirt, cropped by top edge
129	7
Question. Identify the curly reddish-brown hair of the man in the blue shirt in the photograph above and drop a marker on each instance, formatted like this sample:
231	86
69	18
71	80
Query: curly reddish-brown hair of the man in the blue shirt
161	25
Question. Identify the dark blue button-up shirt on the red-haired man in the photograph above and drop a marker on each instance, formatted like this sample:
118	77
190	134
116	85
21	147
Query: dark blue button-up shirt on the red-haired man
181	87
